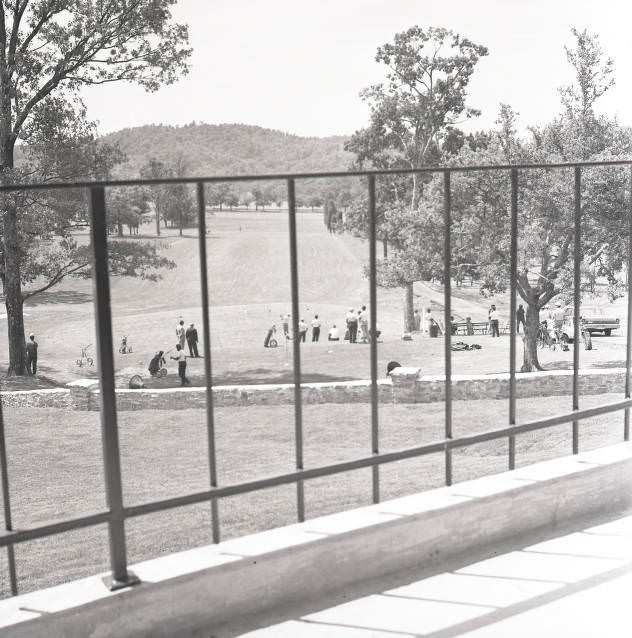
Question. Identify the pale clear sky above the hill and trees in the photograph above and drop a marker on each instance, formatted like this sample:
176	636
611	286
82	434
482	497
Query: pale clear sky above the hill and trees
298	65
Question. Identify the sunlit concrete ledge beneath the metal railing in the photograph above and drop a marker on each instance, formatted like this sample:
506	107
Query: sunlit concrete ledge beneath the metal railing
192	592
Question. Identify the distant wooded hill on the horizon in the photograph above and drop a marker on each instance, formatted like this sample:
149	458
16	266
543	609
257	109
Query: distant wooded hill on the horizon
234	149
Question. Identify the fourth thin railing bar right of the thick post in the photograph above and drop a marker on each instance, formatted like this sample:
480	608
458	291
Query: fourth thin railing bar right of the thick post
447	307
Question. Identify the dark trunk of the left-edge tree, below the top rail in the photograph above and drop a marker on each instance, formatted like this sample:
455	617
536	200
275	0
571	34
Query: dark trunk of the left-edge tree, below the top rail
13	292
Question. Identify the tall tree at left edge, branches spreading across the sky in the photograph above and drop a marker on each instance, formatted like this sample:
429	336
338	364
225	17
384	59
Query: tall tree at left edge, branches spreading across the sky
49	50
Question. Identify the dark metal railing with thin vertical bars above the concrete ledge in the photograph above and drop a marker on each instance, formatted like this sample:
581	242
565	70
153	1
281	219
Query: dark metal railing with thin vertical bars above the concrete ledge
116	513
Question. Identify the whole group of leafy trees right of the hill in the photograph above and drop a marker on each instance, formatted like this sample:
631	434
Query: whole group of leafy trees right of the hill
413	122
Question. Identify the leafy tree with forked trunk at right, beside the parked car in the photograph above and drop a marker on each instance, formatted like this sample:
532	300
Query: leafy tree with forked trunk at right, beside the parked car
546	197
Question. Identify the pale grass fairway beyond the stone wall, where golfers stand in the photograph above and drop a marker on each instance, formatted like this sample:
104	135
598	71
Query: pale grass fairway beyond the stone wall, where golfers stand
249	279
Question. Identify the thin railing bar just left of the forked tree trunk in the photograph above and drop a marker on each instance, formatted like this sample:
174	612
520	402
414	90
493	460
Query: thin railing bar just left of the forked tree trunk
513	274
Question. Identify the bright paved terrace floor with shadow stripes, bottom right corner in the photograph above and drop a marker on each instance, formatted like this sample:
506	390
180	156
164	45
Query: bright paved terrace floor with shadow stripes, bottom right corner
576	585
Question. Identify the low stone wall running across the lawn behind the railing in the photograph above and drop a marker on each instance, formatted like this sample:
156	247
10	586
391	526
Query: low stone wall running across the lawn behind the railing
407	385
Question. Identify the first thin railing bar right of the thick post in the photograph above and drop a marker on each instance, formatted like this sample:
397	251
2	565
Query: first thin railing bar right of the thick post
208	372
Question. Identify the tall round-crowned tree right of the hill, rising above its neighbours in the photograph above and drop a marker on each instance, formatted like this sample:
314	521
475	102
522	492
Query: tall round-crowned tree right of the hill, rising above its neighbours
412	114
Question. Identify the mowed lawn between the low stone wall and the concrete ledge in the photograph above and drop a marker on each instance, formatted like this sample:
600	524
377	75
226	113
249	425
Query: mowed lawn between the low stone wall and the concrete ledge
55	469
